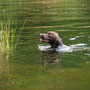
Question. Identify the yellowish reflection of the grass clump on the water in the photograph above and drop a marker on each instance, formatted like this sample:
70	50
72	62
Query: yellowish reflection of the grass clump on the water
4	70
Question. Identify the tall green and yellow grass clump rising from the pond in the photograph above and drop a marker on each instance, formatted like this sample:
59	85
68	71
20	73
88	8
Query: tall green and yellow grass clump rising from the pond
7	36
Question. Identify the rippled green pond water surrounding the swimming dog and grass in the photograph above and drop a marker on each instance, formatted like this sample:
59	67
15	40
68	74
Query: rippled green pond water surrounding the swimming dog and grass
32	69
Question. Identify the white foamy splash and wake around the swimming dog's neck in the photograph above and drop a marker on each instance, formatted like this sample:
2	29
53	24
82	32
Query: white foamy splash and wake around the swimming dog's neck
64	48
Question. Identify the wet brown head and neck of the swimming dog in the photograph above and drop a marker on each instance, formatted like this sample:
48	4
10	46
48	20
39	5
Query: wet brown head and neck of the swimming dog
52	38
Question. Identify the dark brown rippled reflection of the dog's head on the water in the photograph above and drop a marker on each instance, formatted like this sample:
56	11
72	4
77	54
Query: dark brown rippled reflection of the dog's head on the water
49	58
